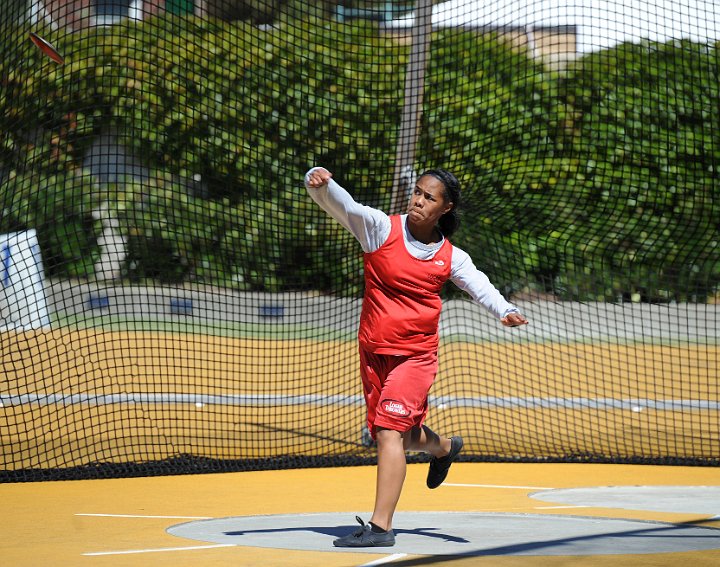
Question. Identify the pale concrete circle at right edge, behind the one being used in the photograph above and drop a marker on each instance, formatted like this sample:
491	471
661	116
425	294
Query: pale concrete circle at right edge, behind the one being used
676	499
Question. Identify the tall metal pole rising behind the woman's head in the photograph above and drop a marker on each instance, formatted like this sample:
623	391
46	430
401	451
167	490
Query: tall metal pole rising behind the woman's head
404	176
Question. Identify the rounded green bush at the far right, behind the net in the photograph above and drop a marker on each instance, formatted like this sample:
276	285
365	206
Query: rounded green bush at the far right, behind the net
646	131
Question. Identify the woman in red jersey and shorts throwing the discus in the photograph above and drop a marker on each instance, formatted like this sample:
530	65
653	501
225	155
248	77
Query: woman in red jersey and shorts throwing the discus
407	260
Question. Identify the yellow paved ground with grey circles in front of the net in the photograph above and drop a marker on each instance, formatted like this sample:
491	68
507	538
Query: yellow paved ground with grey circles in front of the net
499	515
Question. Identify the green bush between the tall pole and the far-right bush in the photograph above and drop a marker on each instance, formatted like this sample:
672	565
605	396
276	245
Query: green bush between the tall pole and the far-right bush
492	115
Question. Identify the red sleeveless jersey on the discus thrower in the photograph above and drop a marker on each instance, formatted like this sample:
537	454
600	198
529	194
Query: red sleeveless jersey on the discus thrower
401	307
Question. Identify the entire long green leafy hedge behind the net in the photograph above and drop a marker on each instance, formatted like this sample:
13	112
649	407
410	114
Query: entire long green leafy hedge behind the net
599	183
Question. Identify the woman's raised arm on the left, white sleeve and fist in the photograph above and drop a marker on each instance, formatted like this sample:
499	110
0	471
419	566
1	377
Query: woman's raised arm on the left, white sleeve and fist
370	226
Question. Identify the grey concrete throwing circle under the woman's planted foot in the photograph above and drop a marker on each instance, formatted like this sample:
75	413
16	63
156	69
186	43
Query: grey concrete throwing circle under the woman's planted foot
459	533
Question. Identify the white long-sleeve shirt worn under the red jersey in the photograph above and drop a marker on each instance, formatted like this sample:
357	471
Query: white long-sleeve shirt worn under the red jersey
371	227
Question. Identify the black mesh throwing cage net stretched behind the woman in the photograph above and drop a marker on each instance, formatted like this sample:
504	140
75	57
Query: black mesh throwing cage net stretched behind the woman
172	300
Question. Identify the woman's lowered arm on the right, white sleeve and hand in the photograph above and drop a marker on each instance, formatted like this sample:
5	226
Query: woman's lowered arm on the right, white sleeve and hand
465	275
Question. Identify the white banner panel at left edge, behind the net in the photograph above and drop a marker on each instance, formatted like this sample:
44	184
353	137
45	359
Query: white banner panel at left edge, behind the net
22	282
